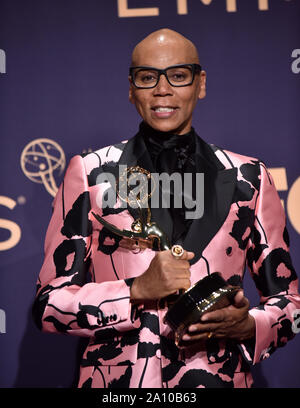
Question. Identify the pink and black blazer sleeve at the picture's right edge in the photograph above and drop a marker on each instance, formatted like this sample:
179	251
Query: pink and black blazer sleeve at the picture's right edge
271	268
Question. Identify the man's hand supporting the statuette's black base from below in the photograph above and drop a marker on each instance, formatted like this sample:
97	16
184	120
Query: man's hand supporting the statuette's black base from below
232	322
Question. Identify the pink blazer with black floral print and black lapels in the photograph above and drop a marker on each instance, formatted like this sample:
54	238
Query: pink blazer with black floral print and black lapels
84	284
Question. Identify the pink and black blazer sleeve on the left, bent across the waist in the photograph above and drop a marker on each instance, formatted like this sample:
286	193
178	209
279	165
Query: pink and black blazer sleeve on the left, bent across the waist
66	300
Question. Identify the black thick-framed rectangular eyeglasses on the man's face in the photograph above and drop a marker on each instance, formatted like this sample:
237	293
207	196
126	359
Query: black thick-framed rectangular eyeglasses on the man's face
144	77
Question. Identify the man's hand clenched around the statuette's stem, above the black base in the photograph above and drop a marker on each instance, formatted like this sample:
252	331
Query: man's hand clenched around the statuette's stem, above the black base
165	276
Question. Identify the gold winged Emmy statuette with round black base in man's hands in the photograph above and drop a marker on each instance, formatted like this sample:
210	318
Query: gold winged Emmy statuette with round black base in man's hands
184	308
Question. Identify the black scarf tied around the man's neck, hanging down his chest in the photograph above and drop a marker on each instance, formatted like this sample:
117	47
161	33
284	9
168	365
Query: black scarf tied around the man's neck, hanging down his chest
173	153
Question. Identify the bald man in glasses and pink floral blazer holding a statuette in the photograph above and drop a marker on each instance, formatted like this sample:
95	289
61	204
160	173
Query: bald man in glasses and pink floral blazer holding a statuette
122	306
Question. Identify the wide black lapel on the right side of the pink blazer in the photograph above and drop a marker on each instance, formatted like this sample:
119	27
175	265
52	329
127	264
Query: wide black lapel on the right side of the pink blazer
219	186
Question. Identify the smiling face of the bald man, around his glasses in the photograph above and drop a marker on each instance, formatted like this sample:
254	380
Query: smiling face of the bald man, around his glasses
180	101
